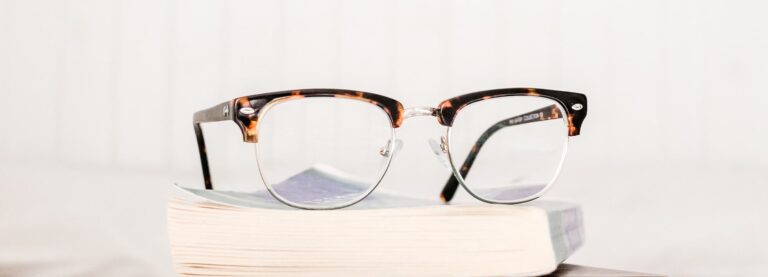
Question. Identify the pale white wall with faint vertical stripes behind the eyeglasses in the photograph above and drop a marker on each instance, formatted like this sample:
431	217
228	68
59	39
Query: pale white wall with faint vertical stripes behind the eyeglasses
116	82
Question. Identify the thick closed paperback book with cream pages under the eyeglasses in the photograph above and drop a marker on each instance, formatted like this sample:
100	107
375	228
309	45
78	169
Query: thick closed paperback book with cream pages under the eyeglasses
226	233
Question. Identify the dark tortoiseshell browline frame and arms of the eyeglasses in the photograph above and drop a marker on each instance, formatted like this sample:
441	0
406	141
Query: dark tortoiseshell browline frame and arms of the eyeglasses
245	112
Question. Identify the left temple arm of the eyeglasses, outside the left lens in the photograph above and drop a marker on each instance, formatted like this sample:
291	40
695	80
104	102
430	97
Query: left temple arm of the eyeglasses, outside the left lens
220	112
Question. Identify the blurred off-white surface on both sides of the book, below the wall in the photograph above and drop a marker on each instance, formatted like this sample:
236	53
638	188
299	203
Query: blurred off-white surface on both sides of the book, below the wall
86	221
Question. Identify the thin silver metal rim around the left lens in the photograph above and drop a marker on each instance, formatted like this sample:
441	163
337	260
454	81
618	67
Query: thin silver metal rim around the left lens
344	205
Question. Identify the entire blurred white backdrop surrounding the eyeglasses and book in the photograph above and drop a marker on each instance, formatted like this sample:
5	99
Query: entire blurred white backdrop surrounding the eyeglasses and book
96	102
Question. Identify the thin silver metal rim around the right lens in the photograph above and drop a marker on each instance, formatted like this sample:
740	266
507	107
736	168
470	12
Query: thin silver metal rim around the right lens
522	200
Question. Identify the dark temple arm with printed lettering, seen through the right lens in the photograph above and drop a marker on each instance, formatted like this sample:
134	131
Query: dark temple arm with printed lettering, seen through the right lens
546	113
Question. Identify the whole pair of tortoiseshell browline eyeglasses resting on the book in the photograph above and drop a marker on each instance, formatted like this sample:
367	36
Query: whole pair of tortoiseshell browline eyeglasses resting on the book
514	141
